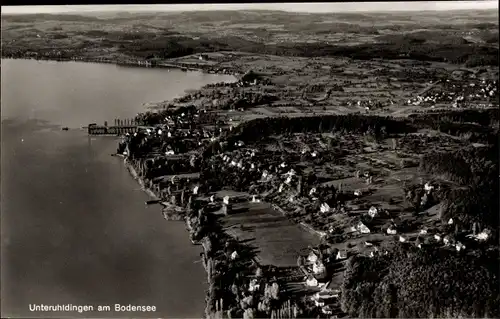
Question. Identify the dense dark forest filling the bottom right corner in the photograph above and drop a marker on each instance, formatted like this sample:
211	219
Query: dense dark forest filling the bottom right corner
449	285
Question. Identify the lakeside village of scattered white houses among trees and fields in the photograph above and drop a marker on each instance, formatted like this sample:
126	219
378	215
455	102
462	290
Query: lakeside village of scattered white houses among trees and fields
336	195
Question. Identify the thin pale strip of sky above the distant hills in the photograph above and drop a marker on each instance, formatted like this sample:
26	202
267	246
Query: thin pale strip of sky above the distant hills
292	7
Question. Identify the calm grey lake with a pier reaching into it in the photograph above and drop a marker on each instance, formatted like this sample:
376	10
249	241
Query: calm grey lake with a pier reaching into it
74	225
